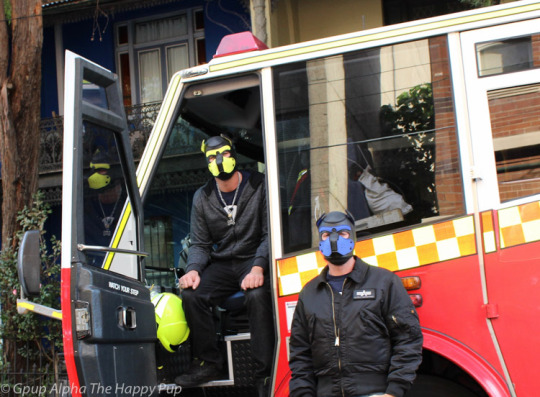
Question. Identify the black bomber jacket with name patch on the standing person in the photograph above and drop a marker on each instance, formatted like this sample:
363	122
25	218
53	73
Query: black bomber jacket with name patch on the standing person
364	341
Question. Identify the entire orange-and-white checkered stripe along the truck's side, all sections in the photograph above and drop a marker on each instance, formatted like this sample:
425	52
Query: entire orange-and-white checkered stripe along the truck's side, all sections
424	245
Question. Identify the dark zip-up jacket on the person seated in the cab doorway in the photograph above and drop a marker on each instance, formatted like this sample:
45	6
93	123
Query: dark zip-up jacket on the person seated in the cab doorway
213	239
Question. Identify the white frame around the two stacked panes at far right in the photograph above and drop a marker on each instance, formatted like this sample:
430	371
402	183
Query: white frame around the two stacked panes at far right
476	133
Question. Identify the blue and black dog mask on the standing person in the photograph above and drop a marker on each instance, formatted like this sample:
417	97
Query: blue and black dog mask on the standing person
335	248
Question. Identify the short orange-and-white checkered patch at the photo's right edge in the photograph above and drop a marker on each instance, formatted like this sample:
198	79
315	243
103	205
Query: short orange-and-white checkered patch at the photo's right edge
519	225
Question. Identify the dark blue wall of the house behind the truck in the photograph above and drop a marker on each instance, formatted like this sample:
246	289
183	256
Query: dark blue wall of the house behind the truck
219	21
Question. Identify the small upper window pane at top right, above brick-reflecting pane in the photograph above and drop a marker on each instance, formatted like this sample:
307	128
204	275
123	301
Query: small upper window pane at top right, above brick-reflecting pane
506	56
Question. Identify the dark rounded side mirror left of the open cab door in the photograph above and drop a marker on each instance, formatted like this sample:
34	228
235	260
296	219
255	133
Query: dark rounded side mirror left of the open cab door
29	263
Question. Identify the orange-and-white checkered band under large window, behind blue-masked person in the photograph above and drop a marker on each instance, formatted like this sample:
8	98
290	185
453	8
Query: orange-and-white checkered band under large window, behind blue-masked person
404	250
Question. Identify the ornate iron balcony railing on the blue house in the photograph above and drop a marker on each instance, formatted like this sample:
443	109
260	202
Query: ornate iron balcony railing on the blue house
140	119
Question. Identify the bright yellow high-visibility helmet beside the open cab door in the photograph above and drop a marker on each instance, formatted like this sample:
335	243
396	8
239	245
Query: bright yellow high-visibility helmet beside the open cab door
172	328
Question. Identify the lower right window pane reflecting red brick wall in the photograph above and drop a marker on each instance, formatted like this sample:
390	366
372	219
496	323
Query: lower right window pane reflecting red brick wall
515	115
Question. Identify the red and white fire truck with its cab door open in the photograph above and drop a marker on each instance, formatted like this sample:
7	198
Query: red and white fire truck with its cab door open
428	132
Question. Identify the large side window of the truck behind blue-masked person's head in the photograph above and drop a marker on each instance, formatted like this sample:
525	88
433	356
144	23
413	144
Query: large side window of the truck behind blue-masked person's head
372	132
